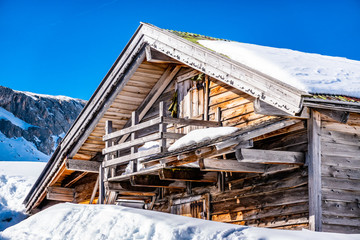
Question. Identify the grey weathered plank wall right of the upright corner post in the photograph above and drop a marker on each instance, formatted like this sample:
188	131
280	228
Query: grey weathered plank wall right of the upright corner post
340	175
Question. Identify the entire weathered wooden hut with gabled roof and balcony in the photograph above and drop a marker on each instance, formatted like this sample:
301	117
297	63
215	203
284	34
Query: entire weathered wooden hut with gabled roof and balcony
293	162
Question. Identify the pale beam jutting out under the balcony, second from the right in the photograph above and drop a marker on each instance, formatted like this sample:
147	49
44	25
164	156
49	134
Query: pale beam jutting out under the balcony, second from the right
227	165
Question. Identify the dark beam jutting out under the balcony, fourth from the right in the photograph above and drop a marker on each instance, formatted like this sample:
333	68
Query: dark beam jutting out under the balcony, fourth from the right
152	181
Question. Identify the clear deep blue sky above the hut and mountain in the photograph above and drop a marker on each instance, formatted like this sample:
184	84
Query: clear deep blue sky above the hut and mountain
67	47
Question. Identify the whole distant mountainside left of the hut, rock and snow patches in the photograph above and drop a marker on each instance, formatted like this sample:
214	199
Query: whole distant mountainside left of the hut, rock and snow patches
32	125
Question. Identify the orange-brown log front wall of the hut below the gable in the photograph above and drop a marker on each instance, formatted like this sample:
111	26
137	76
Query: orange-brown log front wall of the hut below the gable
278	199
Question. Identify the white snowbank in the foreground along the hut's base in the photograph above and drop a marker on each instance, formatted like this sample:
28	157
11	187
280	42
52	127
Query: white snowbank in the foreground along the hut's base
71	221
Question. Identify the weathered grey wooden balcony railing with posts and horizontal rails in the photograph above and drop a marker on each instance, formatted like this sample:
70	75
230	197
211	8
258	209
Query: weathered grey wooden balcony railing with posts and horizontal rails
120	153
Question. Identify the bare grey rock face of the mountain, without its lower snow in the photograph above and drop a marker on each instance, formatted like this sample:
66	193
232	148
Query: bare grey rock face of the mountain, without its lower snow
47	117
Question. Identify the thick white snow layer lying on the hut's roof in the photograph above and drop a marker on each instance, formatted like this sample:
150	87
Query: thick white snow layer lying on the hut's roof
313	73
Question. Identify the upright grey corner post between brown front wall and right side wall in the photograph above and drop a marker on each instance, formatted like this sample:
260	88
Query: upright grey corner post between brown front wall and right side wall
314	151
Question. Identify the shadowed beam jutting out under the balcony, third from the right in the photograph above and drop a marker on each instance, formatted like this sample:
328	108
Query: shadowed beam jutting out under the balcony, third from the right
187	174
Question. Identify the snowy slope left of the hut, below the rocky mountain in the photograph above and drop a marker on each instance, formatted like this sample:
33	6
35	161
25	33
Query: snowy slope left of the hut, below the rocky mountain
16	180
